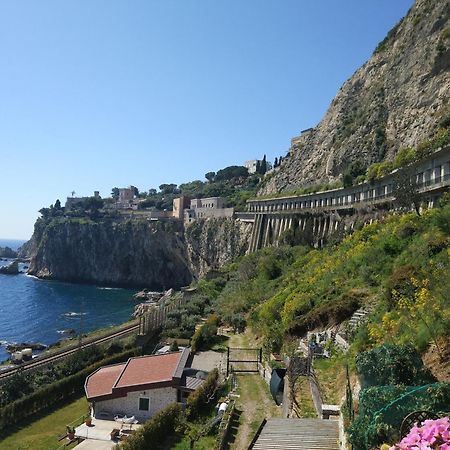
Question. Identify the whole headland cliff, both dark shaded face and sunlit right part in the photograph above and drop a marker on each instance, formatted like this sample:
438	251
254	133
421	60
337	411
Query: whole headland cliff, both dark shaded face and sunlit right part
134	253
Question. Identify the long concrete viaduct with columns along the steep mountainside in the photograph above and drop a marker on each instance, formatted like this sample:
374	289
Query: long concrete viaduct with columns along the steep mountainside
317	216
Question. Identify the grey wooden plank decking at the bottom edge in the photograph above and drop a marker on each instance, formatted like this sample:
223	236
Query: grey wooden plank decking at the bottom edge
298	434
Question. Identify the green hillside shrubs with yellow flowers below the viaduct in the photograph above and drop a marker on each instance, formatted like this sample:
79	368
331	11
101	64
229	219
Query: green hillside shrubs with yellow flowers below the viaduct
399	265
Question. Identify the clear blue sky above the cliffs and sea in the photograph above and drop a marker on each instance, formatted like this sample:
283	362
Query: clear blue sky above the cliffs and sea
102	93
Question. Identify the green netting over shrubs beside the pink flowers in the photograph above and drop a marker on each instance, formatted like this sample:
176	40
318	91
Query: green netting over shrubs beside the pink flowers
383	408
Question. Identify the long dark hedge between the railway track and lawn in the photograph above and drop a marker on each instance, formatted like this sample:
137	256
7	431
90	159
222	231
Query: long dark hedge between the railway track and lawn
53	394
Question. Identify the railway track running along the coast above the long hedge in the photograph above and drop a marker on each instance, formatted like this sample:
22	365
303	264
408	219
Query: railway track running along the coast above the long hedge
45	360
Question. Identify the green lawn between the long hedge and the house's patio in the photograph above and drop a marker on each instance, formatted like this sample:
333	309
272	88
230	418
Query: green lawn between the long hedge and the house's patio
43	433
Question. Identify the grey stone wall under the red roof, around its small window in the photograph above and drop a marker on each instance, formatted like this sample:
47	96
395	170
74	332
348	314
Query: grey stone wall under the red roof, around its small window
129	405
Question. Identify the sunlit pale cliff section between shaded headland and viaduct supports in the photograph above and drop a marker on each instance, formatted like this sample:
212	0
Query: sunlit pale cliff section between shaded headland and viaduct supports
211	243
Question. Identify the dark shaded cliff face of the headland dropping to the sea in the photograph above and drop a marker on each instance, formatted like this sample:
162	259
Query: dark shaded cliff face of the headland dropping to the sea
129	253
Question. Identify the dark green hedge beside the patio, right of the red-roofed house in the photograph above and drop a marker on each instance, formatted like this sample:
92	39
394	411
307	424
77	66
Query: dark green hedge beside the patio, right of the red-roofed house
155	431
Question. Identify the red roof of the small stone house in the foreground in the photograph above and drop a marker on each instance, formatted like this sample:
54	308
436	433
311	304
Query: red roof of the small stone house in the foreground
145	371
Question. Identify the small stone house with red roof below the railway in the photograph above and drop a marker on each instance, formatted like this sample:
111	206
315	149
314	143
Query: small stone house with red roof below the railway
142	386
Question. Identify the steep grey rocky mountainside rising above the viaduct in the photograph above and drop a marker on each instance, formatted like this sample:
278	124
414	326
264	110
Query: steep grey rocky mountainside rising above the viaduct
395	100
